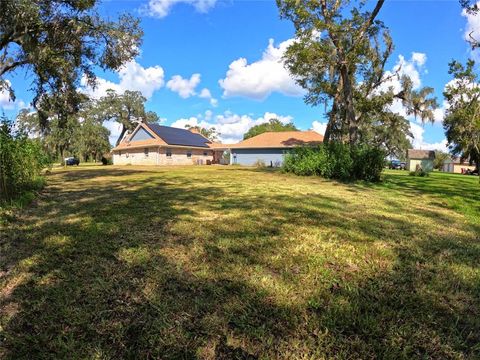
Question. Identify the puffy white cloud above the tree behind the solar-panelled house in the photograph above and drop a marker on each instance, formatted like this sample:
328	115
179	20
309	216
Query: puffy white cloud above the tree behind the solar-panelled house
134	77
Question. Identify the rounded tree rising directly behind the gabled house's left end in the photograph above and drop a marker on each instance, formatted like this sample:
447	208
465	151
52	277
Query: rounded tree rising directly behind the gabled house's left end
127	109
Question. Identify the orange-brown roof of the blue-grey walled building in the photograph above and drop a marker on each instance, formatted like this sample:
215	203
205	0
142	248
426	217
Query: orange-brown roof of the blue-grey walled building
284	139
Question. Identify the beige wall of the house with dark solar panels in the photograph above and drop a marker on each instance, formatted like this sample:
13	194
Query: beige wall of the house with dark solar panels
158	156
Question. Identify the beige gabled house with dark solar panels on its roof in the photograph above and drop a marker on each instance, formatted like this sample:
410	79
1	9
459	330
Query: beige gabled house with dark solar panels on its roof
153	144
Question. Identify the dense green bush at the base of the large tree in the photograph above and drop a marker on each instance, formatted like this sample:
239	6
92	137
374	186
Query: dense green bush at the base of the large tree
337	161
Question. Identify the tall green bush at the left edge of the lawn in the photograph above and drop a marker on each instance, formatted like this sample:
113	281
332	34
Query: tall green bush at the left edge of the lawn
21	162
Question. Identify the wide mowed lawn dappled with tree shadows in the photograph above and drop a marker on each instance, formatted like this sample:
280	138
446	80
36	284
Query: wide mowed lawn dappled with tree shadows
238	263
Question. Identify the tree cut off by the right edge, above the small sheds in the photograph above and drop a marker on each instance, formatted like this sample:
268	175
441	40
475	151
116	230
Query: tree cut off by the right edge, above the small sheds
462	119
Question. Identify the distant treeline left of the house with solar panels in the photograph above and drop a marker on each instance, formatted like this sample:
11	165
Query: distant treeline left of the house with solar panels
82	133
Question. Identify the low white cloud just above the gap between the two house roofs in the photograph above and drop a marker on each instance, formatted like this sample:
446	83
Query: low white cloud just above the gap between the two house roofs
230	126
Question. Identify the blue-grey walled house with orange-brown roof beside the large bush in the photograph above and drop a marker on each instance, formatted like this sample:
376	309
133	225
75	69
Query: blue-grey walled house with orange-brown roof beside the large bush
270	147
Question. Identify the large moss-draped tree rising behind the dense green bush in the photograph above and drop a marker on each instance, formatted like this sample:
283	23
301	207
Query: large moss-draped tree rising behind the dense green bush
338	56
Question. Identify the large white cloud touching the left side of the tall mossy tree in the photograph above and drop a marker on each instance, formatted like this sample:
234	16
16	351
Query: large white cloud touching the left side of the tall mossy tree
261	78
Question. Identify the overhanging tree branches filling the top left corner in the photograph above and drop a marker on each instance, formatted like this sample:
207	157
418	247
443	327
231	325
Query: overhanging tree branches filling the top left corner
60	42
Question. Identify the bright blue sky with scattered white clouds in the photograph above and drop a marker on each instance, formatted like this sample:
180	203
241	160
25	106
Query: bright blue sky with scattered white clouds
217	63
